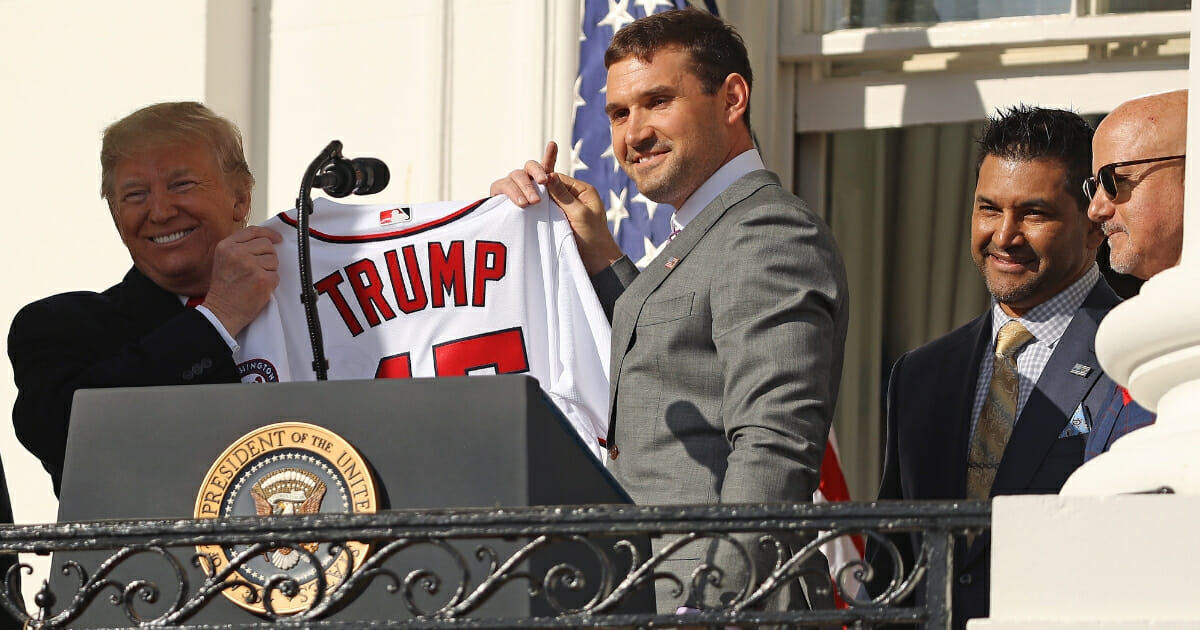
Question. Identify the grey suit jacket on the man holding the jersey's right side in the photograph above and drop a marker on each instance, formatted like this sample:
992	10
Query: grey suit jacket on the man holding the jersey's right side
727	357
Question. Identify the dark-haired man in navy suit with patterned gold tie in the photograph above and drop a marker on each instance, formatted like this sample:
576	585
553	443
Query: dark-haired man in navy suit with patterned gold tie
970	422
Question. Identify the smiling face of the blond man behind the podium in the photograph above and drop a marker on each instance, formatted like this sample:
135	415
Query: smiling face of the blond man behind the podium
172	207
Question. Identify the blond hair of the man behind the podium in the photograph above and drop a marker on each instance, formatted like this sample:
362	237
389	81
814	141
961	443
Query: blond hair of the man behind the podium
167	124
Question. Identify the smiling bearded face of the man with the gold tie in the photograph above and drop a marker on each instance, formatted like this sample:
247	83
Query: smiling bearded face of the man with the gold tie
1029	236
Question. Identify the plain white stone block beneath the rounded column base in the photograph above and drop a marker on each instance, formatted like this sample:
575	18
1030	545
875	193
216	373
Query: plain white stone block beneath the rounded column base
1088	563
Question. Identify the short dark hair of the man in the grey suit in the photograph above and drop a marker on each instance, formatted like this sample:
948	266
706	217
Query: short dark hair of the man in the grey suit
715	47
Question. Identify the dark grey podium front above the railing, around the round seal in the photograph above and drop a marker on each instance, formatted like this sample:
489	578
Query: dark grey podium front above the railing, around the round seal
470	442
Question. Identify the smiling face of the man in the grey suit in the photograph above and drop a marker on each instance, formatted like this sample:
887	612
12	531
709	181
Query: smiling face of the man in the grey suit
668	135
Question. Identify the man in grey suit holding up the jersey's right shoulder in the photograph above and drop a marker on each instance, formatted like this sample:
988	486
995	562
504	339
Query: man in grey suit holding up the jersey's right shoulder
728	350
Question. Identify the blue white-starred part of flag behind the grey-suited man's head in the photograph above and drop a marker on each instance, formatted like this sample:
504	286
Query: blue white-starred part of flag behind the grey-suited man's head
638	224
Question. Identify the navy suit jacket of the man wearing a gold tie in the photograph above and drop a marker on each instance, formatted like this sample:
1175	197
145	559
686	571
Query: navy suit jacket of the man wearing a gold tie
931	399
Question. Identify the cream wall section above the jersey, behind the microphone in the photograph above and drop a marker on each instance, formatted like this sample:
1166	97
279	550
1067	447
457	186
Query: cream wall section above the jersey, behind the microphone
449	94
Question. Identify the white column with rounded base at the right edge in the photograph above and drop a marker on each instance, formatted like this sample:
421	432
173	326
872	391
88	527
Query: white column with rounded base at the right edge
1151	345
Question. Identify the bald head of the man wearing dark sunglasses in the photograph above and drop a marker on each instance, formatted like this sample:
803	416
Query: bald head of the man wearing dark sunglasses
1144	223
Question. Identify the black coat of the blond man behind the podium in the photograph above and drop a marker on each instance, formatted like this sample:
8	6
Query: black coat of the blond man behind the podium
134	334
